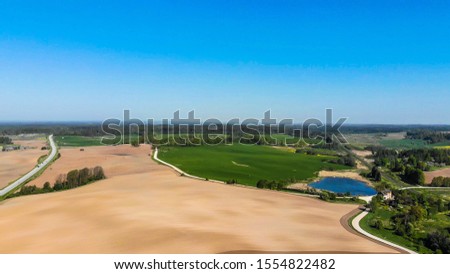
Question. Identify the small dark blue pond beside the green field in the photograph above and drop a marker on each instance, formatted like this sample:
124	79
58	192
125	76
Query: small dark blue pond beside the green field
343	185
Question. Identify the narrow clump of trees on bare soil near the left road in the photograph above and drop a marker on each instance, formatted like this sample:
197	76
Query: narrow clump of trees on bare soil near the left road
73	179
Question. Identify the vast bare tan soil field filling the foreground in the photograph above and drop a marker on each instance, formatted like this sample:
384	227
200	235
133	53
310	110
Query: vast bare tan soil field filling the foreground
153	210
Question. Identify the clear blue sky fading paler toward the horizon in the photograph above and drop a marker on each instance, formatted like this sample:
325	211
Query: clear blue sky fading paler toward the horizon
371	61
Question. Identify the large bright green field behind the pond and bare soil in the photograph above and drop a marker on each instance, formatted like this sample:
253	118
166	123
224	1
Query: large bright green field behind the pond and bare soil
246	163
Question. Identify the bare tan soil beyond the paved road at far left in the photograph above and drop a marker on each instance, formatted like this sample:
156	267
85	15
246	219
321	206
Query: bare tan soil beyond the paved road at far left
16	163
